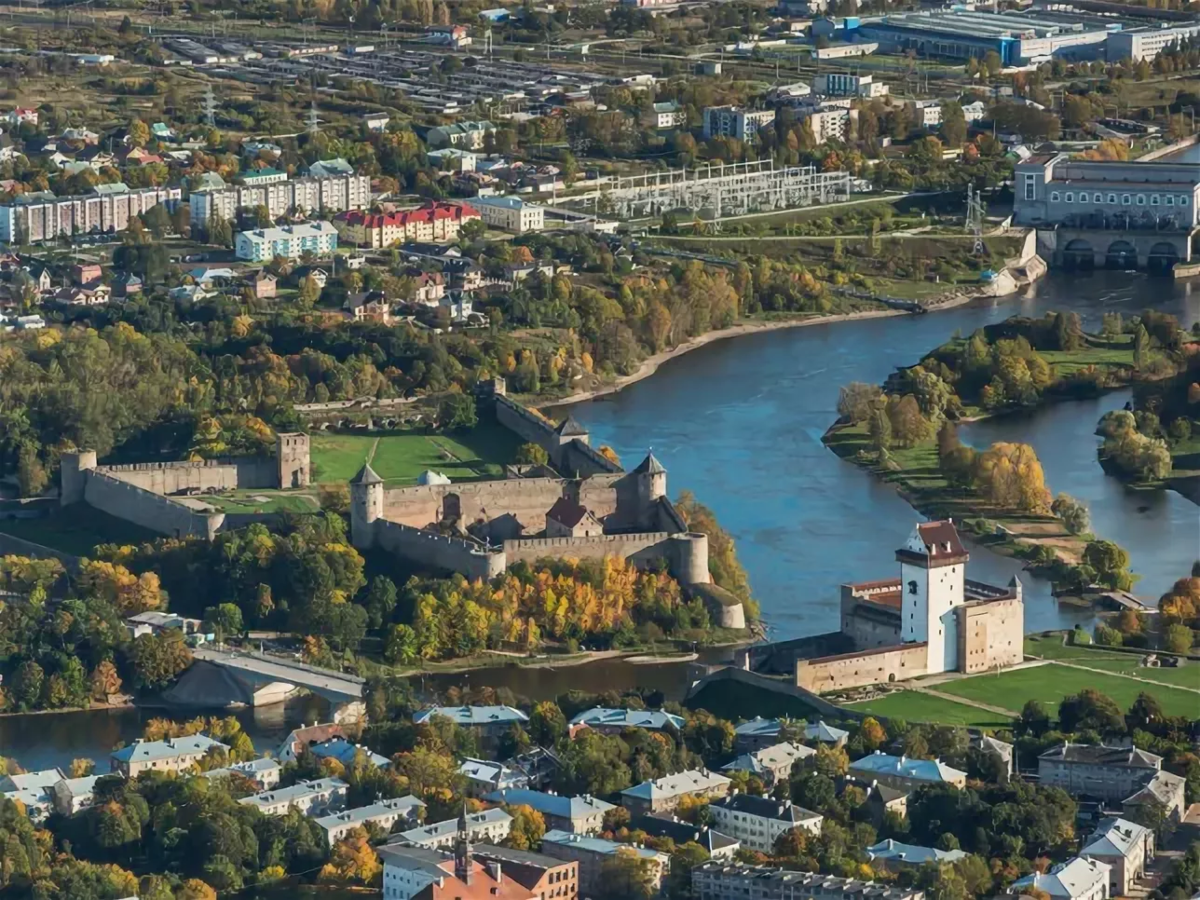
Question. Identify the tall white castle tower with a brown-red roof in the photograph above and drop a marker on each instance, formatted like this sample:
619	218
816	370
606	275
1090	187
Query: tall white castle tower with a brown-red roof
933	569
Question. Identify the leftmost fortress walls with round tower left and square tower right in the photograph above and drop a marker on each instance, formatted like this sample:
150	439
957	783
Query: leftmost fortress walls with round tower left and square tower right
167	497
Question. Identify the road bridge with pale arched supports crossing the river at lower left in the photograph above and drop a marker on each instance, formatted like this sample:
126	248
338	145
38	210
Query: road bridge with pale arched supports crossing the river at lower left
229	679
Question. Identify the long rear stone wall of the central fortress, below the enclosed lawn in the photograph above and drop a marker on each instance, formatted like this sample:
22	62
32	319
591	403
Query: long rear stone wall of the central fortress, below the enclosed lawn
526	499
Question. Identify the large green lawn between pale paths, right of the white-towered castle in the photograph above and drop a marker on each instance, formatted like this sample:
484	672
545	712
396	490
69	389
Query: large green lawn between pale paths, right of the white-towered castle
1052	683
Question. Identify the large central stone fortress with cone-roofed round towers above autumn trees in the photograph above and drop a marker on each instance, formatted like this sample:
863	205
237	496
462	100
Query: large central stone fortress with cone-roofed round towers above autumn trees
581	507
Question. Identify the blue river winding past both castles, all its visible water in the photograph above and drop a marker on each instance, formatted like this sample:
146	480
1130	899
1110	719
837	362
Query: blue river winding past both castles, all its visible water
740	423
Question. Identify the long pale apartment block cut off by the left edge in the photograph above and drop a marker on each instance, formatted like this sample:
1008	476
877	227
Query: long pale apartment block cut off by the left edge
35	218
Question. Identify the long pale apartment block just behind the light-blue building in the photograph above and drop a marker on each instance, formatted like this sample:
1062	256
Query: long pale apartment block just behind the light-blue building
335	194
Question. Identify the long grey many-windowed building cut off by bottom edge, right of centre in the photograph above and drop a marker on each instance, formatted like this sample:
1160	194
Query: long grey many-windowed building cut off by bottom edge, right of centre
718	880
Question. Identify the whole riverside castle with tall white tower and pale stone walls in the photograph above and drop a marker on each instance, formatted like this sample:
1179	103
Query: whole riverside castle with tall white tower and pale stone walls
929	621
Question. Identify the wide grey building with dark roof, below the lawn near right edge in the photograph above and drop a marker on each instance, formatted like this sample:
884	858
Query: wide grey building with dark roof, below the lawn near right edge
1106	773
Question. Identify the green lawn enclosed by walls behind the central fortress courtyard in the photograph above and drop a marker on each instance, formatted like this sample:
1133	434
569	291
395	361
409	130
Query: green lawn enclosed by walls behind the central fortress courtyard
401	457
